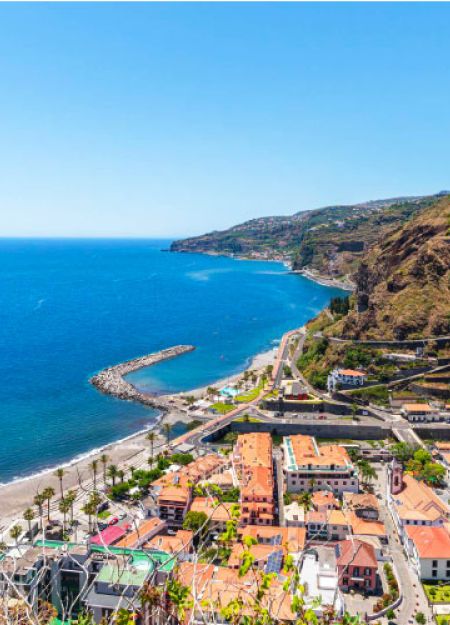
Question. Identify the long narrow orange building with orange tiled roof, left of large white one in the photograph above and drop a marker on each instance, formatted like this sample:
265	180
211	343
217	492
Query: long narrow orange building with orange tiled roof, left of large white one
252	461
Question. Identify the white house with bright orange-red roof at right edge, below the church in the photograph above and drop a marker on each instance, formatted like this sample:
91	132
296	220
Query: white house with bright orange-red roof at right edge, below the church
429	551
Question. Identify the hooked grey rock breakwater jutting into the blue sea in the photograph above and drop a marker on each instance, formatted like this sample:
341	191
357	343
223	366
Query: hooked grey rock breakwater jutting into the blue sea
111	381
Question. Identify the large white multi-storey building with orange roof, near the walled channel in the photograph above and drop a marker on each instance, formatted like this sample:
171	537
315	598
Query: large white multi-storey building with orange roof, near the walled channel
309	467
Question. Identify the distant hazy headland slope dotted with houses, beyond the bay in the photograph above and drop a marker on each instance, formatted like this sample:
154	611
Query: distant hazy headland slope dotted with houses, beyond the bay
329	240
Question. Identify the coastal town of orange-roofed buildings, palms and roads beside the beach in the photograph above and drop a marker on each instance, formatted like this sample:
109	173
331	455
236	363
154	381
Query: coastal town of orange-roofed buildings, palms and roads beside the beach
283	500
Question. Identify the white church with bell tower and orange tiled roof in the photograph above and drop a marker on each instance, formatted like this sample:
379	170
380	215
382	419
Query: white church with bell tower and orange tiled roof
412	502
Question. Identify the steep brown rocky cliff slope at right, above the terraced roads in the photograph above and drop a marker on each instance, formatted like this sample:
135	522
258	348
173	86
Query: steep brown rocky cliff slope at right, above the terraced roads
402	283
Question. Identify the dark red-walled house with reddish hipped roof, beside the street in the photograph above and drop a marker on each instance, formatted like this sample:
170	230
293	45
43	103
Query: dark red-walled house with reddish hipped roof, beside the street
357	566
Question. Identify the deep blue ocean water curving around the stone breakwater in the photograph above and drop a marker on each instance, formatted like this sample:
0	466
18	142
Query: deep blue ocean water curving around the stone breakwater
71	307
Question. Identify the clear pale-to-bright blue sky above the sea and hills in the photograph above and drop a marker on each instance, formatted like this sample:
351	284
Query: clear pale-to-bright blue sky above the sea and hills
175	119
